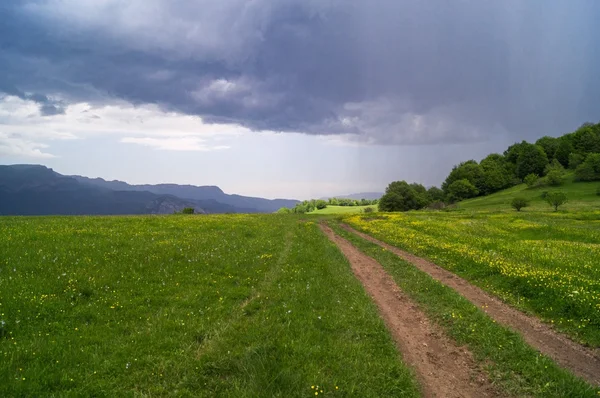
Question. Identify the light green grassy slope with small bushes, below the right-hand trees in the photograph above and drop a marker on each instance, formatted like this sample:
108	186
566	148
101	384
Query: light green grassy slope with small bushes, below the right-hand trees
582	196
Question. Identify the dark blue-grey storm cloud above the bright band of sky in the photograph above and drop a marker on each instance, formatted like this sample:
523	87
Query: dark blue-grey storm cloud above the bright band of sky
388	71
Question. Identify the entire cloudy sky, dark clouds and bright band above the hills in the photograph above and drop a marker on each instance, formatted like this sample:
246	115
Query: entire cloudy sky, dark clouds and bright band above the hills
289	98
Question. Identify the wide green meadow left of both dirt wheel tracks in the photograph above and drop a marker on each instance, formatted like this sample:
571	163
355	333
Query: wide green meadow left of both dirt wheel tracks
236	305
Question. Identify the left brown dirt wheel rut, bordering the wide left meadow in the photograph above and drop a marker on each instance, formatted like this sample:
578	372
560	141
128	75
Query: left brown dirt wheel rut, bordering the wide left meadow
443	368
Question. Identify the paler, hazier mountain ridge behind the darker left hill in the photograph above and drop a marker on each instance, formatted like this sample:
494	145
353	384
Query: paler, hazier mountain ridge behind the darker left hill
243	204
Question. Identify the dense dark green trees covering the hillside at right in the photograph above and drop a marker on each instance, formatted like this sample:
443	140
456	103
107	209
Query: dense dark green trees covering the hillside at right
542	163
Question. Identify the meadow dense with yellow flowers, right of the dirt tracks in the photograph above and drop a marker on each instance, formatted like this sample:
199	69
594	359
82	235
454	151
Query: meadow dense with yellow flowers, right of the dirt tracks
545	263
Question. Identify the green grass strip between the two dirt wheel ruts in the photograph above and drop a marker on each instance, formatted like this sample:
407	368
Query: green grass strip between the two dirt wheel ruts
513	365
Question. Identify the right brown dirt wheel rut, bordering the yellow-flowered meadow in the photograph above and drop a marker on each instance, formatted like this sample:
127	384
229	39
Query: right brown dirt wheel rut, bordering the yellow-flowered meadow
582	361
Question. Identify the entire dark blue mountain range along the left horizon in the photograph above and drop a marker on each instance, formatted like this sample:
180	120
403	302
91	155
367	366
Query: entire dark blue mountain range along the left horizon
38	190
